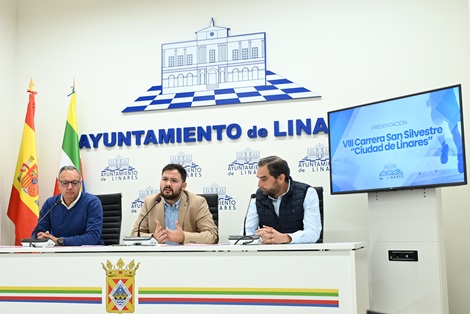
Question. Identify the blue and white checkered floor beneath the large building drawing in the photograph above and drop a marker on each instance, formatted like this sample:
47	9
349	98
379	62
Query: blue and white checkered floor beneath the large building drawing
276	88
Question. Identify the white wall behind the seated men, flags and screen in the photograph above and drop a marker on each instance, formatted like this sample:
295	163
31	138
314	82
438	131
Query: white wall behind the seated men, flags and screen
350	52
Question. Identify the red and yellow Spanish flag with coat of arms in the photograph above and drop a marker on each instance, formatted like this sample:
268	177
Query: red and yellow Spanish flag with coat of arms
23	208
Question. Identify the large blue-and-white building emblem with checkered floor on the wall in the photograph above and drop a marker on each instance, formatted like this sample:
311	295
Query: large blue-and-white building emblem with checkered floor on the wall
213	69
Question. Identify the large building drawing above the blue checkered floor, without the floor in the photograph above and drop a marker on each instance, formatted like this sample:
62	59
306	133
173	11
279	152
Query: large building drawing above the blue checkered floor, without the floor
214	60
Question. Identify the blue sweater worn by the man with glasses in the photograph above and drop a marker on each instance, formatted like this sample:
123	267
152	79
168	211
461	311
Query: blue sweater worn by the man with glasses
80	225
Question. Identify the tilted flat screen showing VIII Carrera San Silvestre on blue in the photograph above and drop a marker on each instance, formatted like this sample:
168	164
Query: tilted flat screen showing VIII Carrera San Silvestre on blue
413	141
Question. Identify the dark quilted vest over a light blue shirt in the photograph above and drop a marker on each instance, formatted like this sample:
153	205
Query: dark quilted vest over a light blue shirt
291	211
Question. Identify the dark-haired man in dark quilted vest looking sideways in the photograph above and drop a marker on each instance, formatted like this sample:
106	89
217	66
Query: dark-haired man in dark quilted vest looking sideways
285	211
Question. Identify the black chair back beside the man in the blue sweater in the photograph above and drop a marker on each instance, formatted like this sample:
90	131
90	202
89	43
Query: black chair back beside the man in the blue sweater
112	217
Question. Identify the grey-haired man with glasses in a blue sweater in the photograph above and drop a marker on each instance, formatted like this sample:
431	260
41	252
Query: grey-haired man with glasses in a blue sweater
73	217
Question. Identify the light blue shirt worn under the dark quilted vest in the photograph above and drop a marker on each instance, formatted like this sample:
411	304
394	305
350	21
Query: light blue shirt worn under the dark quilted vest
311	221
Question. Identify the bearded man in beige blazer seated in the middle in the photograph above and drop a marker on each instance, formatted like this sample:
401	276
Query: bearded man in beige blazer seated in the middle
176	215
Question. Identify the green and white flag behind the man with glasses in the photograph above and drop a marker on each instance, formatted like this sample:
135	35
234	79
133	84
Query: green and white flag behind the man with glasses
70	148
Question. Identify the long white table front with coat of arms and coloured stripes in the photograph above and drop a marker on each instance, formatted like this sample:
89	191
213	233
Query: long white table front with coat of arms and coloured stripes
316	278
